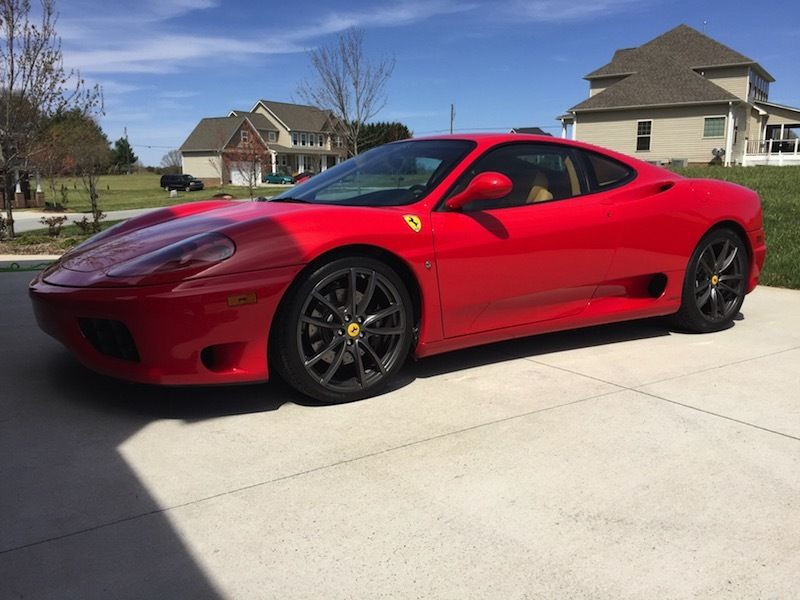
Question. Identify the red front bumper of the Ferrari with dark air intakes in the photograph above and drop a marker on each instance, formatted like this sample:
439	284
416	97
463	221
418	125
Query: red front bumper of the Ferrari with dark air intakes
186	333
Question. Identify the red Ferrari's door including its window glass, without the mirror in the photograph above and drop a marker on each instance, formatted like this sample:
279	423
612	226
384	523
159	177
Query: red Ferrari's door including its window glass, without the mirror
536	254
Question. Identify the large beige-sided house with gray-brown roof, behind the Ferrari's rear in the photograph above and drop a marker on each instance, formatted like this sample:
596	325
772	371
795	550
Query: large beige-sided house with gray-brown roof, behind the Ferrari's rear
685	97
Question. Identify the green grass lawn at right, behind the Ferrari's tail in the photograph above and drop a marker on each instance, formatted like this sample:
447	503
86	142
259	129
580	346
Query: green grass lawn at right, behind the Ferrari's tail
779	188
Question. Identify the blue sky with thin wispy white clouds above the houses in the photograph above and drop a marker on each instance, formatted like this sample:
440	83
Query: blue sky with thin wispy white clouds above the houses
165	64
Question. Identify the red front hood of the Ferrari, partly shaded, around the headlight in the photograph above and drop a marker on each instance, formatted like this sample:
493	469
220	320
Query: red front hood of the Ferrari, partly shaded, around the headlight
266	235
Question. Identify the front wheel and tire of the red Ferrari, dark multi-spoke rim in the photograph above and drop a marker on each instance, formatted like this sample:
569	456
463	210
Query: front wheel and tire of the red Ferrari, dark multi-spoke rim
337	346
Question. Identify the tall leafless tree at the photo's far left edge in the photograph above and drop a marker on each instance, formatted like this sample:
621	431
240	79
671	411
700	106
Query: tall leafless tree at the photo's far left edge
34	86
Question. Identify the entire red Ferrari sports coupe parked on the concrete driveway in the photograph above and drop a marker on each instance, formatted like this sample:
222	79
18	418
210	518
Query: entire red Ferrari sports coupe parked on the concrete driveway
420	246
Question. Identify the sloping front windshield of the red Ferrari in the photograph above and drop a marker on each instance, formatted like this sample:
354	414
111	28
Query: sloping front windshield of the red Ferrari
390	175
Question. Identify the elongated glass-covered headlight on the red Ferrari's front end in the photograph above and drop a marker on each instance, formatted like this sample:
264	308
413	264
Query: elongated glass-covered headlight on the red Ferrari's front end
192	254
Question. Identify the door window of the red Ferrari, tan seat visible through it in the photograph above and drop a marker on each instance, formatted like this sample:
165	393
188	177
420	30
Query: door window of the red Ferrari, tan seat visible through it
538	172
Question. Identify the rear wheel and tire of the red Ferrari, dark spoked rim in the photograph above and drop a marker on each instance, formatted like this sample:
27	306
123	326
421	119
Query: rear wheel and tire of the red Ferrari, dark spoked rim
715	283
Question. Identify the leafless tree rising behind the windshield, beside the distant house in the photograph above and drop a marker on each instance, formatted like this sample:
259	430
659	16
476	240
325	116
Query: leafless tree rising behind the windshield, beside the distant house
348	84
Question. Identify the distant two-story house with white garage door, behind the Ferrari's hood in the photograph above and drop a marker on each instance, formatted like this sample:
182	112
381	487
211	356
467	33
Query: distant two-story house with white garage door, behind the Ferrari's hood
295	137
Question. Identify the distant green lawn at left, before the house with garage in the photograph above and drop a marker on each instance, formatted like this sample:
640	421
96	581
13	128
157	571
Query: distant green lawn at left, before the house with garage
138	190
